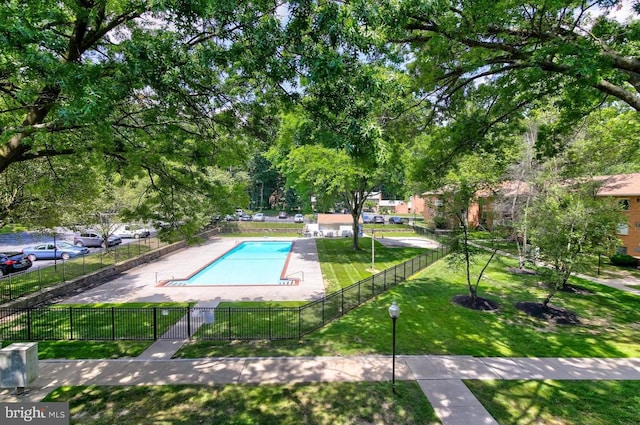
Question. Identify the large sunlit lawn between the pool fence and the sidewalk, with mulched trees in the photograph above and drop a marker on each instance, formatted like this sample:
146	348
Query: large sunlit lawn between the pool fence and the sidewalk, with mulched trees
431	324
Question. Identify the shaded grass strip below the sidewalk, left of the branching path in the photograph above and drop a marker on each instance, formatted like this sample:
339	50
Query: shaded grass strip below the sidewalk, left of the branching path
314	404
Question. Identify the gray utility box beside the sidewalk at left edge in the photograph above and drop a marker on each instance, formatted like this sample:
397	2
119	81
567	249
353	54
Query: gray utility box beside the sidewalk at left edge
18	364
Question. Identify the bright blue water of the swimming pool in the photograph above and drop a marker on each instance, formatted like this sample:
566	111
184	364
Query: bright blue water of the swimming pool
249	263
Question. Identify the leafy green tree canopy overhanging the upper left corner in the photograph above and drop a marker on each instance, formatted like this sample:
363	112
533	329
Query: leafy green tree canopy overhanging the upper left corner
153	89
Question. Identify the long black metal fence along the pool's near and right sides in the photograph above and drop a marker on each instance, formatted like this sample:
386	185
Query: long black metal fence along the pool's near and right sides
226	323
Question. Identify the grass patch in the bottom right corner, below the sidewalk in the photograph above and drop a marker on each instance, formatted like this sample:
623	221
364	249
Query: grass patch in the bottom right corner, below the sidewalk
560	402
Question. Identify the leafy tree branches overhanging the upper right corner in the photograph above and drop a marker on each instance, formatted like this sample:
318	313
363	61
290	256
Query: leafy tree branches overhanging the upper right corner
522	50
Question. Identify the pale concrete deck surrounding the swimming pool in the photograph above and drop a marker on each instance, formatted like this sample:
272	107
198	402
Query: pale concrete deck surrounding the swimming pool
140	284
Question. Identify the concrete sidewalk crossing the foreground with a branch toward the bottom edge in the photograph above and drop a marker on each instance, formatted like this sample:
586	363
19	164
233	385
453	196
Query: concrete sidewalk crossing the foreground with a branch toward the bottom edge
440	377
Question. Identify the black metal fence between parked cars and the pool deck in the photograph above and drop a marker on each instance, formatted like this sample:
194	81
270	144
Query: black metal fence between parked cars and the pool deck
14	286
